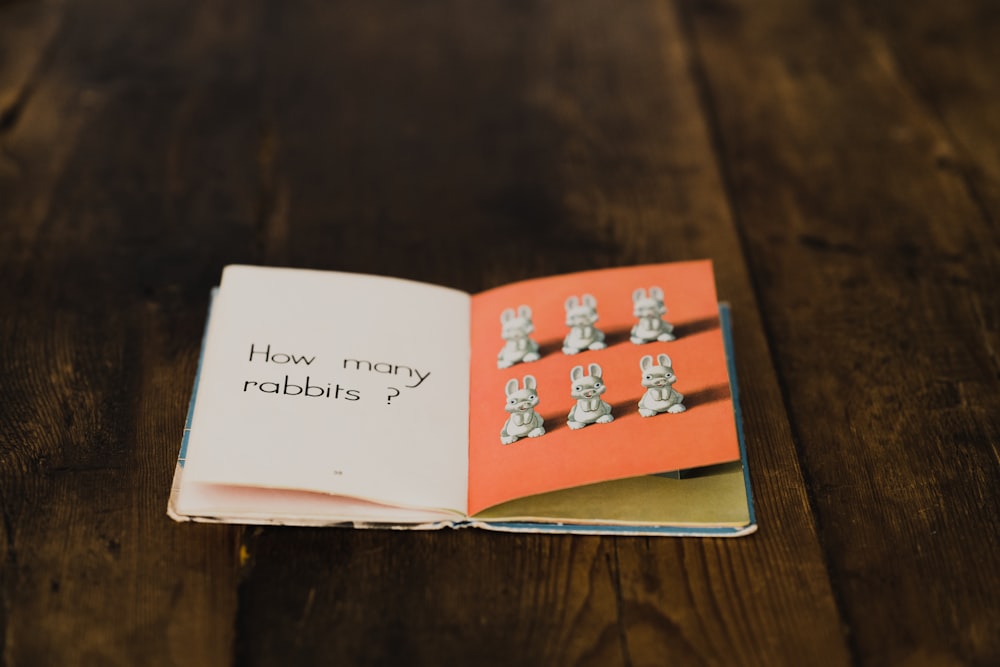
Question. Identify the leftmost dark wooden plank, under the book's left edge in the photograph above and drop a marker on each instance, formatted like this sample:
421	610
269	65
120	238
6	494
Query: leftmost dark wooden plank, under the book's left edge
133	167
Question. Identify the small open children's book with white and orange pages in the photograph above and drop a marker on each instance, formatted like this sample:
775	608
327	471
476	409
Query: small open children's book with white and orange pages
595	402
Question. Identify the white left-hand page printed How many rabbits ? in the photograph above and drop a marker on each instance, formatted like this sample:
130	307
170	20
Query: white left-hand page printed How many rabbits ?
396	430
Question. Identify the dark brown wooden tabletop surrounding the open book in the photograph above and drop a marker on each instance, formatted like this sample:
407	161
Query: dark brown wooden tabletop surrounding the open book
839	161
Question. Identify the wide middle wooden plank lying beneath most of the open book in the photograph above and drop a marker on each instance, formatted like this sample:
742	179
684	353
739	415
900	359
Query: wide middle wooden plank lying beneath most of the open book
473	145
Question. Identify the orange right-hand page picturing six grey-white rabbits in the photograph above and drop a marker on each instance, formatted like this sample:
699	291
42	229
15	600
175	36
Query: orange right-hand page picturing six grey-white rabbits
629	445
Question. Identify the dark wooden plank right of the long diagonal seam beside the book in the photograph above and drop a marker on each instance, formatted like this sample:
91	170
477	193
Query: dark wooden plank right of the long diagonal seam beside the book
858	143
